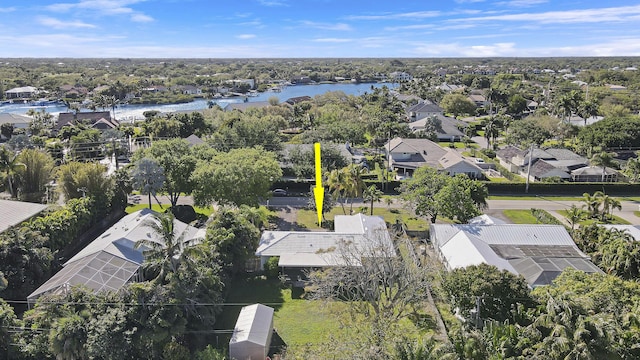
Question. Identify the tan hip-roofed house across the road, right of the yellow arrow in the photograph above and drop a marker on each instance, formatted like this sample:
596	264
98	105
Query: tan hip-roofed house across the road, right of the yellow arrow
407	155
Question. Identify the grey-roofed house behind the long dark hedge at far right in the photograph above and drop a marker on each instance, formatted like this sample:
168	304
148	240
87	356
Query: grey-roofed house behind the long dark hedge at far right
545	164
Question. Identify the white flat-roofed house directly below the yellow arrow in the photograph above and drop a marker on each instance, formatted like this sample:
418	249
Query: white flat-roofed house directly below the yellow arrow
320	249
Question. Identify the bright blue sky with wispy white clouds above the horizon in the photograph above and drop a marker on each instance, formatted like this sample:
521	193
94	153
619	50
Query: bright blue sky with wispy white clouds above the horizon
318	28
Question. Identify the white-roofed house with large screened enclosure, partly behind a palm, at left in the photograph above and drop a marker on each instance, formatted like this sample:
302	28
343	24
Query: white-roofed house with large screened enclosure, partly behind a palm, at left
111	260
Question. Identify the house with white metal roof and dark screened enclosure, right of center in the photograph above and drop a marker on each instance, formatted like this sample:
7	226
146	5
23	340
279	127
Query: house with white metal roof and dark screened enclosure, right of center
537	252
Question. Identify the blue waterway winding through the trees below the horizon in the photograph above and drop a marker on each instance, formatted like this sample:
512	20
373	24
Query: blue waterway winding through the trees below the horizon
128	112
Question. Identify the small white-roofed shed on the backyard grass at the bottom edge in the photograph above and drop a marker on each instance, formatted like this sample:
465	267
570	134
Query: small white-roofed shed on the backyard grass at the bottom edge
252	335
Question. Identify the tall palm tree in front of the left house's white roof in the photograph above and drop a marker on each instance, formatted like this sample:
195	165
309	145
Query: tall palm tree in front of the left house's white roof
166	251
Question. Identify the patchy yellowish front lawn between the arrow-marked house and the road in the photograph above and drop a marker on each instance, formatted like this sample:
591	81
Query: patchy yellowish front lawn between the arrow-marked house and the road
309	218
